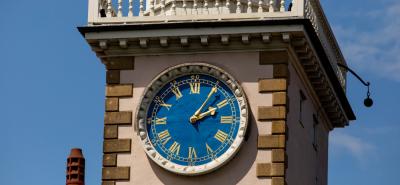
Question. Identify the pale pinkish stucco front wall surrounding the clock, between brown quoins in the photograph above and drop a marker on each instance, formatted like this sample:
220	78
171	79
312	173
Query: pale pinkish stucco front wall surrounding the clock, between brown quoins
241	169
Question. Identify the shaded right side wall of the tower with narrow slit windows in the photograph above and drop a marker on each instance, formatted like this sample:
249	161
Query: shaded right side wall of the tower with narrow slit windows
305	164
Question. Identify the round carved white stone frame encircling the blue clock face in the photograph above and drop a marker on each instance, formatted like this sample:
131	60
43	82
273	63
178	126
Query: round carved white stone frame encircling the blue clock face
165	77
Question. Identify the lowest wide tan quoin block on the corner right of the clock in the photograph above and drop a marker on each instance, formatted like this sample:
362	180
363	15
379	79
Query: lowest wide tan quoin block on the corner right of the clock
270	169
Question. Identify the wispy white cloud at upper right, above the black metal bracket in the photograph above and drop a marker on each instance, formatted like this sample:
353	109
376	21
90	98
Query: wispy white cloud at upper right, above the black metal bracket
376	50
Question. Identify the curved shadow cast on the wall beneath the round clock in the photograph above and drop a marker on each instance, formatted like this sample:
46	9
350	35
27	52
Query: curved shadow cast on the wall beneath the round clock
230	173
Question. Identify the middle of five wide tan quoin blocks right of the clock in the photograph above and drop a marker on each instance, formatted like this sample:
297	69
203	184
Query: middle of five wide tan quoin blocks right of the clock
271	113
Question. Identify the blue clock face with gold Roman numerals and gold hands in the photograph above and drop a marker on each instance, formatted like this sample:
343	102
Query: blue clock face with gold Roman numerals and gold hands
193	119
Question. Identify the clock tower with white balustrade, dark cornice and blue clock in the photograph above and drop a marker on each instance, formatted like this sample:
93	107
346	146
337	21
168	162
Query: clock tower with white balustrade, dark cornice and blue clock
217	91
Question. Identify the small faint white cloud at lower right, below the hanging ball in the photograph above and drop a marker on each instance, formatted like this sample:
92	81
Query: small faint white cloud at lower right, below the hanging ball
356	147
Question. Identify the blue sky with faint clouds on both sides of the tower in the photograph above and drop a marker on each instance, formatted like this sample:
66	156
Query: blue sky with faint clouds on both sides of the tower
52	92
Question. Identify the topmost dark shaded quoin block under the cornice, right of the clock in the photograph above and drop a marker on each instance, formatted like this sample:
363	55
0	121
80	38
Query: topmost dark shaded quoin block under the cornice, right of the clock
273	57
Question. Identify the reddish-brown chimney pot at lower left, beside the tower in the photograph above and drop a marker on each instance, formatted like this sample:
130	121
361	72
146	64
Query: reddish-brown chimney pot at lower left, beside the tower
75	168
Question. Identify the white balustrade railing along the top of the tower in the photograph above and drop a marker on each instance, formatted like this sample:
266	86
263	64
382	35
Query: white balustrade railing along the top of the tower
114	12
